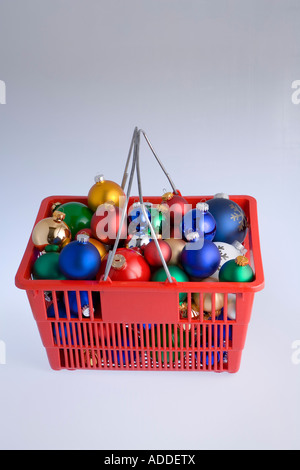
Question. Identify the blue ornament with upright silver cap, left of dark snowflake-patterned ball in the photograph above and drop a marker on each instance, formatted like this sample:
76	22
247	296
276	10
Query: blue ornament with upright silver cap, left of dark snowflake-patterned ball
200	221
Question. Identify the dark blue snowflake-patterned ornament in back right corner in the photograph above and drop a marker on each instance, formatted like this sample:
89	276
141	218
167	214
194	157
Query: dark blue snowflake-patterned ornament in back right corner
230	219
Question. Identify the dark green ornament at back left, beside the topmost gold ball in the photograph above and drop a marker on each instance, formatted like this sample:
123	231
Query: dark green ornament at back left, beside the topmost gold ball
78	216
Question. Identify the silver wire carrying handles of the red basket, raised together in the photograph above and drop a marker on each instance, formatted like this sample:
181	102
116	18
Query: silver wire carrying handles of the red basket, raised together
135	151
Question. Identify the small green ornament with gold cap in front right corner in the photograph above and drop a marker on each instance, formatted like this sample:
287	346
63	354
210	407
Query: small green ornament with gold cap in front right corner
236	270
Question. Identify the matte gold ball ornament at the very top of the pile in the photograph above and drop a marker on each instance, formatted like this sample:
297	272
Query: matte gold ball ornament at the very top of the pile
104	191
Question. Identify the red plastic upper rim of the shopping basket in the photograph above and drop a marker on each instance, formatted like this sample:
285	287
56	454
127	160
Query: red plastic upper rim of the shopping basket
22	280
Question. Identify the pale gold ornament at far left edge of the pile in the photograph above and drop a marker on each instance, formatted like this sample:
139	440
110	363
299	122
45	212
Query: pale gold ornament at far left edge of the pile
51	231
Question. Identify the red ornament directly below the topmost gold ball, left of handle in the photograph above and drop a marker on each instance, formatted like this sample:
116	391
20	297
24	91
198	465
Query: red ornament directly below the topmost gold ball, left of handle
105	224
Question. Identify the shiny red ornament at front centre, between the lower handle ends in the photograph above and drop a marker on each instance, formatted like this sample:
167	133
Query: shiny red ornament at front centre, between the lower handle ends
127	265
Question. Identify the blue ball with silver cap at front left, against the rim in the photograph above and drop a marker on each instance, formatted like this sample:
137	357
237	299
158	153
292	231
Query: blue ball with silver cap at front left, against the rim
79	259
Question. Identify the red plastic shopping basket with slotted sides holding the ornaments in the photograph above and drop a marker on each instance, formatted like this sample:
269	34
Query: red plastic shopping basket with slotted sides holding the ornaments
140	325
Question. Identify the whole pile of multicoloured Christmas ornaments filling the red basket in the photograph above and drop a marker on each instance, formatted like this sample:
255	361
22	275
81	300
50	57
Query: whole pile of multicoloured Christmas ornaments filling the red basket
203	243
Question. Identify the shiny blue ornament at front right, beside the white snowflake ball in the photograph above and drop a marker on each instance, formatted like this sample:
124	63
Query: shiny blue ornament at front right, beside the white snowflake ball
200	259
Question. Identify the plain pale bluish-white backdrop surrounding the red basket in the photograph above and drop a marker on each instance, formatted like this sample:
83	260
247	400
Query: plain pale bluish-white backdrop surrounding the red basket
210	82
